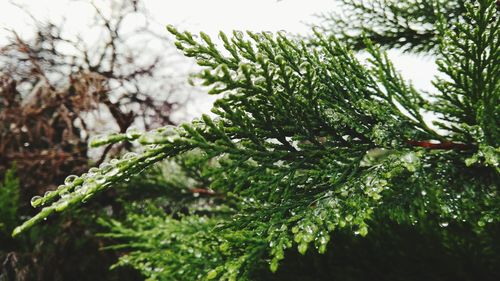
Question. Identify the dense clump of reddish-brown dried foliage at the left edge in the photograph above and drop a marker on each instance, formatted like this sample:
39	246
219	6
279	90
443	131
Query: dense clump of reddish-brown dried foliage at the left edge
39	132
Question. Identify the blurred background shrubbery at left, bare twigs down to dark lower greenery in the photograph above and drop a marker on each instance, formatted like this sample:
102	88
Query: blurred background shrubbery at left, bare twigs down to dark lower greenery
55	93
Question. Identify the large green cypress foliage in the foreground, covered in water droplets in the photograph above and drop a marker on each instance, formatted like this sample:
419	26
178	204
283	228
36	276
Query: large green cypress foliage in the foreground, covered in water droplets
308	142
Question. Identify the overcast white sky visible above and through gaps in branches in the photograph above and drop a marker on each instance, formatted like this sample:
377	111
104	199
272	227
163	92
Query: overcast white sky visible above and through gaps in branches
208	16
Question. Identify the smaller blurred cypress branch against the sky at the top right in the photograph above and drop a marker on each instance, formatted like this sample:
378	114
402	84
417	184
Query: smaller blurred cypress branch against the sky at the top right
410	25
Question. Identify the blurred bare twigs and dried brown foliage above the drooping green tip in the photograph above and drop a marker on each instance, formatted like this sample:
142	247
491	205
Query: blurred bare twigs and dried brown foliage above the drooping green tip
55	92
